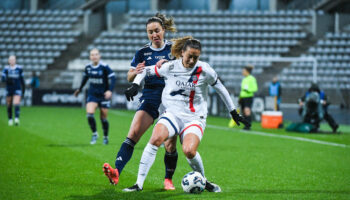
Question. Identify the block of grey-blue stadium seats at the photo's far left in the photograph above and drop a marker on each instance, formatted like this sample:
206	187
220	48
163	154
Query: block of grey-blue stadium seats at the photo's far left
37	38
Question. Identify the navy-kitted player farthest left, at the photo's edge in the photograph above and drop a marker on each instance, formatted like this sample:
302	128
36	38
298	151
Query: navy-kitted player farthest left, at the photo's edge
12	75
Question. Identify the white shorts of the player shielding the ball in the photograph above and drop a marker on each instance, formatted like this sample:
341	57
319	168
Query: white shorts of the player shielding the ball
182	127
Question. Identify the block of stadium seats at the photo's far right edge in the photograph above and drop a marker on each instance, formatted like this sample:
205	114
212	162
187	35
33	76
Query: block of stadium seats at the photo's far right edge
332	53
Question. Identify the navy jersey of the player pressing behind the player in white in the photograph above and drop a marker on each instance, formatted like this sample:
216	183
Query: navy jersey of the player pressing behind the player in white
153	85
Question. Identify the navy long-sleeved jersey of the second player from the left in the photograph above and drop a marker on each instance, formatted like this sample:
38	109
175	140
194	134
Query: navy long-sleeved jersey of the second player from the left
98	77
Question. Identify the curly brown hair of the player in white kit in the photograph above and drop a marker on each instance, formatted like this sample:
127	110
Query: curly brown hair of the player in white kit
181	44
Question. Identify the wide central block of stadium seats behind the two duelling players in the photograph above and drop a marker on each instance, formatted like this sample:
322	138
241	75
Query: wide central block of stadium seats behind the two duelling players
240	33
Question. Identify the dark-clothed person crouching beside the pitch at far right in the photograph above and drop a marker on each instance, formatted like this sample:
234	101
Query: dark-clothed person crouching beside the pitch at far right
321	111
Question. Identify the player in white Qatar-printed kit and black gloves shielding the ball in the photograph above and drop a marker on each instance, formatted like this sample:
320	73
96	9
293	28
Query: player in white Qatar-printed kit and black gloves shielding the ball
185	100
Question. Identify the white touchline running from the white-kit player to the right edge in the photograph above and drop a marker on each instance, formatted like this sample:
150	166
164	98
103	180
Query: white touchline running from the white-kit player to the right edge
281	136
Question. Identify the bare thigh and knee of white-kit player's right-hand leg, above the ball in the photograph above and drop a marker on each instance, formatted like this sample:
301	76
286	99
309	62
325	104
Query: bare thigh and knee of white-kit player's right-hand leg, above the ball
190	143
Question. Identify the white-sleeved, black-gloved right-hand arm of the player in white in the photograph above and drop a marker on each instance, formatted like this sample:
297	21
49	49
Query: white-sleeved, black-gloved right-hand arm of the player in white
214	81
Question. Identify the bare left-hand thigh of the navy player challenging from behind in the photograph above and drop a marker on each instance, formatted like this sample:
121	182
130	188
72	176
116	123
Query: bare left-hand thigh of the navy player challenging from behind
139	125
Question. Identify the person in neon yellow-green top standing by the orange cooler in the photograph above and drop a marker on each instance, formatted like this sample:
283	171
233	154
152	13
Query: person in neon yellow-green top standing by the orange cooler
248	88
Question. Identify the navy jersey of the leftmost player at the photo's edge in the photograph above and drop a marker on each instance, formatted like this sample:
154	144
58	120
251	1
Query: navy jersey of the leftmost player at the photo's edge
13	76
